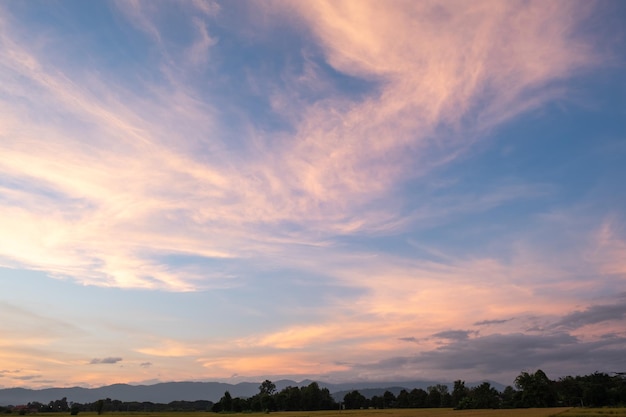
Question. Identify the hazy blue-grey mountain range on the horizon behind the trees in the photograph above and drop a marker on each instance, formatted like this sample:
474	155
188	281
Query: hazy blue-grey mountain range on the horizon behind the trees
192	391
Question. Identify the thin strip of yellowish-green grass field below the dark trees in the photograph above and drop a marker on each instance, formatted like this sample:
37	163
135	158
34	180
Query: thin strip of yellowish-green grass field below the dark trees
423	412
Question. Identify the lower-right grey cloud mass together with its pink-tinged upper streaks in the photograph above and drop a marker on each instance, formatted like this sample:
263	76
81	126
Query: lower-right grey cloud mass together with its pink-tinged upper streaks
554	345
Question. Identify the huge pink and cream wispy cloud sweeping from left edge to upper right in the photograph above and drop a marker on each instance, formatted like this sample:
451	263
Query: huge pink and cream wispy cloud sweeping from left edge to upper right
344	152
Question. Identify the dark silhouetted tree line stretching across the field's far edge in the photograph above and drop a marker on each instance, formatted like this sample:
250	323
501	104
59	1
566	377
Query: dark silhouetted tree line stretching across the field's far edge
529	390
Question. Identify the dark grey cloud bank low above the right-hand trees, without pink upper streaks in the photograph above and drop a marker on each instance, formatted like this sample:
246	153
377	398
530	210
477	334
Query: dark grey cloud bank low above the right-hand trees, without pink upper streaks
558	354
